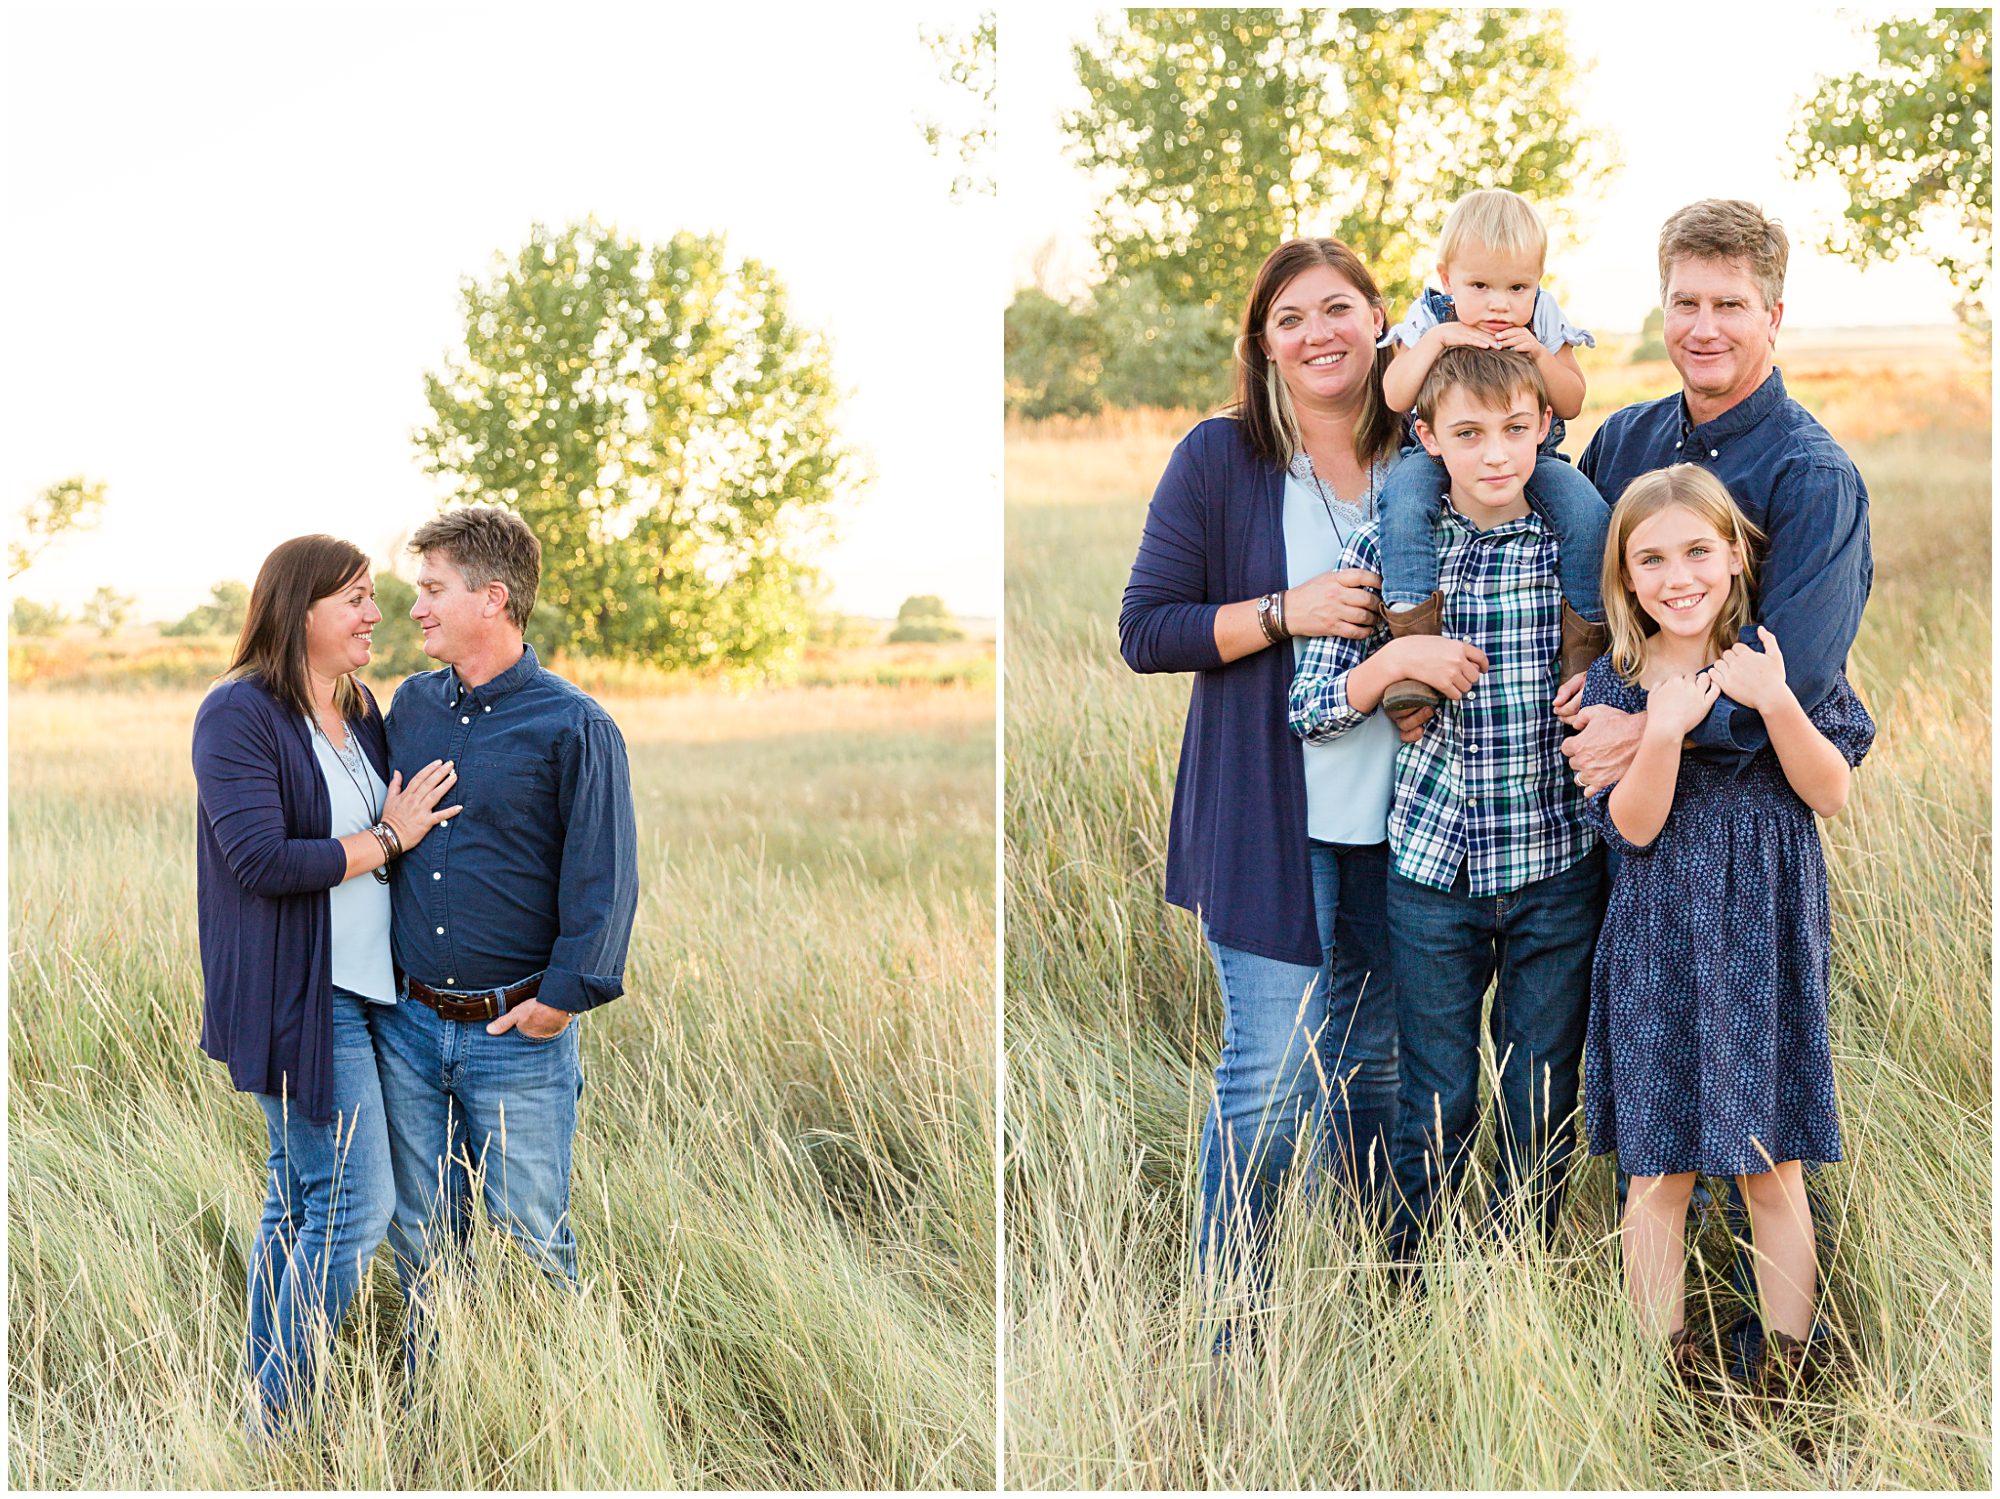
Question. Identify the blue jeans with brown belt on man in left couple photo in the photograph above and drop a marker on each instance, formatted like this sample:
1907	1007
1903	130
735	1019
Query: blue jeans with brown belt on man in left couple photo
473	1108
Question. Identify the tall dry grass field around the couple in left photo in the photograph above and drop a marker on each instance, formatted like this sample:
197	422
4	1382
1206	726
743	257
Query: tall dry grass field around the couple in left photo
783	1182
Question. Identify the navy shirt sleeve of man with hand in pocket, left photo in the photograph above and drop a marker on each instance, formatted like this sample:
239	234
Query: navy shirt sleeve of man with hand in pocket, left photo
599	888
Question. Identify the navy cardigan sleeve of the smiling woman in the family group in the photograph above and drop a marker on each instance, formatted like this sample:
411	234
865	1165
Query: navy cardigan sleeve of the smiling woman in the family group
1167	621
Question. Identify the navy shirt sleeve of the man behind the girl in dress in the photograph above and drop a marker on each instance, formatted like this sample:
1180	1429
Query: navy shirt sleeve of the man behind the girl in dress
1813	585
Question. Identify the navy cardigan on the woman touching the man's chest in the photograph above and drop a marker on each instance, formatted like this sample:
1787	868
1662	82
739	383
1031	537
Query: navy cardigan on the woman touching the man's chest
263	868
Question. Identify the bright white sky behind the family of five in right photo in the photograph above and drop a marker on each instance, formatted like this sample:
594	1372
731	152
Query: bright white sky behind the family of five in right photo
1699	101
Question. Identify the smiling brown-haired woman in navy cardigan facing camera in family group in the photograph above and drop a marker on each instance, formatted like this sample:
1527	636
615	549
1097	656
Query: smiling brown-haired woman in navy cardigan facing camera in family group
1281	848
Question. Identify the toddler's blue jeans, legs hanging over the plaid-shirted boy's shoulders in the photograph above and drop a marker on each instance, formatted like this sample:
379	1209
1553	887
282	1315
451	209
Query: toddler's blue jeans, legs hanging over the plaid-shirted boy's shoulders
1561	497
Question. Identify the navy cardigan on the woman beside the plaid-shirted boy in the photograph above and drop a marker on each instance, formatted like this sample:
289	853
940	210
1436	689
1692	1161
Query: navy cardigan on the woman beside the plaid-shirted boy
1237	846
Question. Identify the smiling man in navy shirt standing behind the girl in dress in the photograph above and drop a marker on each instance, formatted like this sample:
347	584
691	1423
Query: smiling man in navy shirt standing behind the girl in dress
1723	289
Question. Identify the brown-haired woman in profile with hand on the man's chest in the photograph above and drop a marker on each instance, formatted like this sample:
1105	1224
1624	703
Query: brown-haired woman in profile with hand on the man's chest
297	824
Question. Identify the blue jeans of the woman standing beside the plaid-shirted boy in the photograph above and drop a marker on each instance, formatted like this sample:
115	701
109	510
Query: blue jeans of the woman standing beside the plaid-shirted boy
1303	1044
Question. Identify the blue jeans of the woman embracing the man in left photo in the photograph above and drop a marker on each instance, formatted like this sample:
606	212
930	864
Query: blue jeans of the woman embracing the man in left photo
327	1206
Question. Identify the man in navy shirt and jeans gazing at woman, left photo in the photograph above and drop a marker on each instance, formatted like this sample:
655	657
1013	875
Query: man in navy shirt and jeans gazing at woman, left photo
511	920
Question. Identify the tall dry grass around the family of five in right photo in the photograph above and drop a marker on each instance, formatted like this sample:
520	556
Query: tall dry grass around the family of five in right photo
1519	1370
